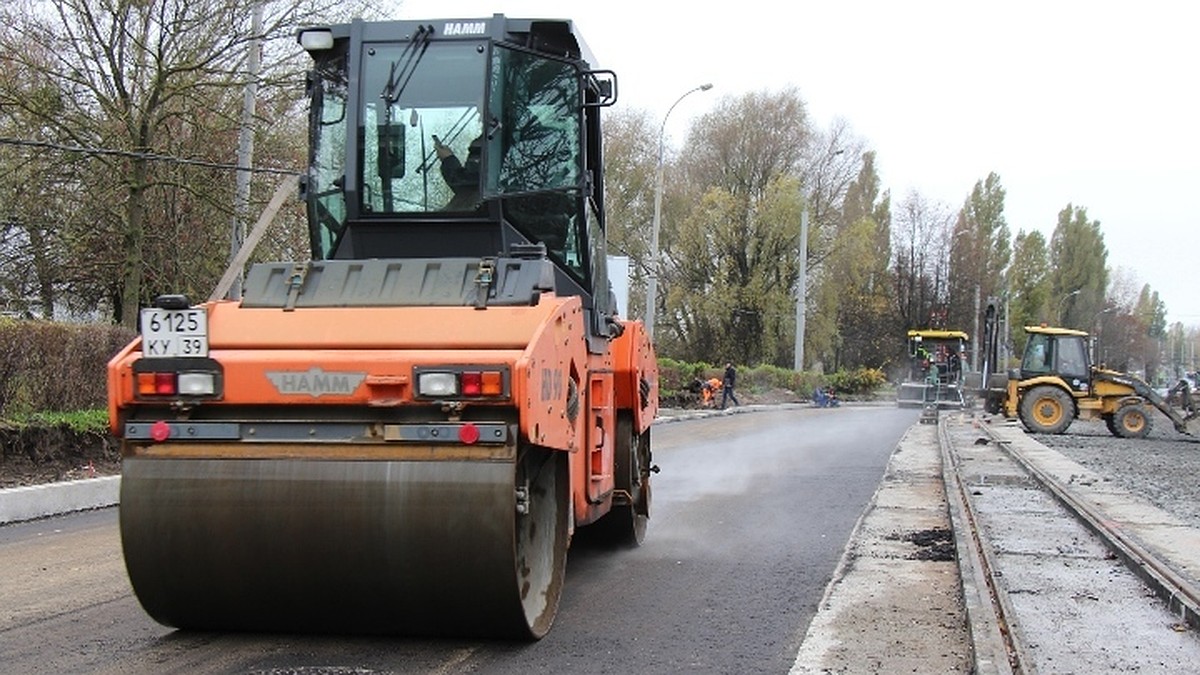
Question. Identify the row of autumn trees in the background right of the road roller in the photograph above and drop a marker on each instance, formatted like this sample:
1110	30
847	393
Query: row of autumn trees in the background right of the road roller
730	252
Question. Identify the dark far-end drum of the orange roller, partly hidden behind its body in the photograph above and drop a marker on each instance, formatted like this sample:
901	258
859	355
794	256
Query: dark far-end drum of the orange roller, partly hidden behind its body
626	524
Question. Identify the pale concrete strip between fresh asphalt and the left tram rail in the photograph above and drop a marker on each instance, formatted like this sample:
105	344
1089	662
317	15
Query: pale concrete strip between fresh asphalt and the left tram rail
890	610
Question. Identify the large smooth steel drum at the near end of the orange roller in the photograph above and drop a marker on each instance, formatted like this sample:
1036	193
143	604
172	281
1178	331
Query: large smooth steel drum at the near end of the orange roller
431	548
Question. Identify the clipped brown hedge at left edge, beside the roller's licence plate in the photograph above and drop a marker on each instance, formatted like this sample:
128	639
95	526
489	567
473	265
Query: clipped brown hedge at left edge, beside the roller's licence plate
47	367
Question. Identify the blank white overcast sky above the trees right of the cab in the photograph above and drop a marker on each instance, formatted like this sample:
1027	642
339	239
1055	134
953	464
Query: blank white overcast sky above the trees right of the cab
1094	104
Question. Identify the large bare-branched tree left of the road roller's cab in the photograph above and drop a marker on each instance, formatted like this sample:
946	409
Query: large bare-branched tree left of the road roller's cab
131	86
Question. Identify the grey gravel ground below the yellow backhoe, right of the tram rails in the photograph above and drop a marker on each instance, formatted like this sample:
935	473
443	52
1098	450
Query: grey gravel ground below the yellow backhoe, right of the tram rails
1163	468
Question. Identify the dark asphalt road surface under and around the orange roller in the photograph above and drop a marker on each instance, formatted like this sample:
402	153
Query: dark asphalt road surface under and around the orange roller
751	516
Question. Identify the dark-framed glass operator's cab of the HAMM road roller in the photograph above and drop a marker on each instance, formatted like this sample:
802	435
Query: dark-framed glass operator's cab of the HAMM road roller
460	139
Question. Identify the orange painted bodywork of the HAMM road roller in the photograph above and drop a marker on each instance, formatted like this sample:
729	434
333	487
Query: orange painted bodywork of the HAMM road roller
364	359
